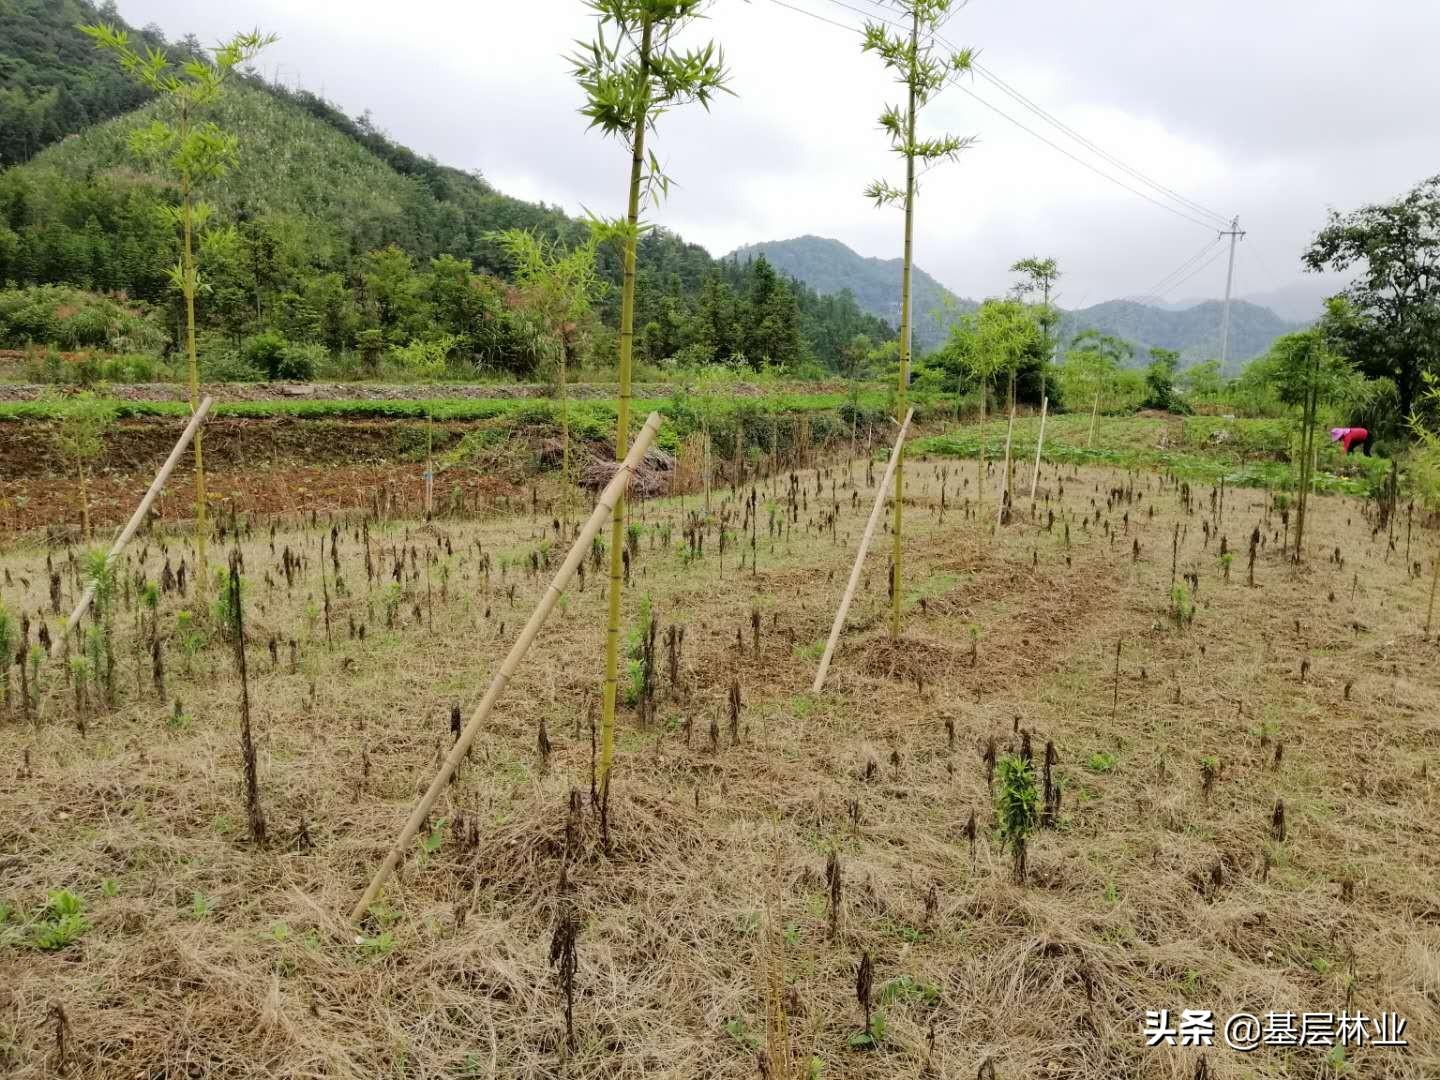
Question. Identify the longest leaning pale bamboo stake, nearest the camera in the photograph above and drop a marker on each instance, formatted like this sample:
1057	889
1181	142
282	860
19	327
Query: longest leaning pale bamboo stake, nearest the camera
578	552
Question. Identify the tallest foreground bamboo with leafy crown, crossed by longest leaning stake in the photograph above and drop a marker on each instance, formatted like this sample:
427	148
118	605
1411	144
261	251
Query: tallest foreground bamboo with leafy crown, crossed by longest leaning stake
631	76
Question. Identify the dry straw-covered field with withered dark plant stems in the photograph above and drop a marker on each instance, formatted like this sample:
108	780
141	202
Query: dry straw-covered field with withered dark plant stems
705	947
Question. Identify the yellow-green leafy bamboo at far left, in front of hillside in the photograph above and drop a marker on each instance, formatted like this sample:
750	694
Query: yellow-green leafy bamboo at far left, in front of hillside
197	152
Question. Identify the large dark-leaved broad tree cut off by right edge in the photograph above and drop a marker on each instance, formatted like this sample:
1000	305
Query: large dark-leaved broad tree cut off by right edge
1396	250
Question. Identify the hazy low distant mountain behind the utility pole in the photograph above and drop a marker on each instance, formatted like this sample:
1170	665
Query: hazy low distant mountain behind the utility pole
1193	332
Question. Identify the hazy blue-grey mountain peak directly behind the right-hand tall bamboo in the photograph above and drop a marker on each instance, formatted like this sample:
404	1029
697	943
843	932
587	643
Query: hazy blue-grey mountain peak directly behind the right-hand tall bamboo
830	267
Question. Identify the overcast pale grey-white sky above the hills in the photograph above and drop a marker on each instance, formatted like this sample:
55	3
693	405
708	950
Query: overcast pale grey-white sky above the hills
1272	110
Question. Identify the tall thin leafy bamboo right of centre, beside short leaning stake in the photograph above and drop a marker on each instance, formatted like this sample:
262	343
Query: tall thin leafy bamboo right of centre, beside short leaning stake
922	73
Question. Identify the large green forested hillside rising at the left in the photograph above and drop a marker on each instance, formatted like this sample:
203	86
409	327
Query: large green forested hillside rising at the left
319	198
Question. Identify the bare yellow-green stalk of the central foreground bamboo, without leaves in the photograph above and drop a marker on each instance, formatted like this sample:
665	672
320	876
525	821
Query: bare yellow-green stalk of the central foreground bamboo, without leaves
613	626
